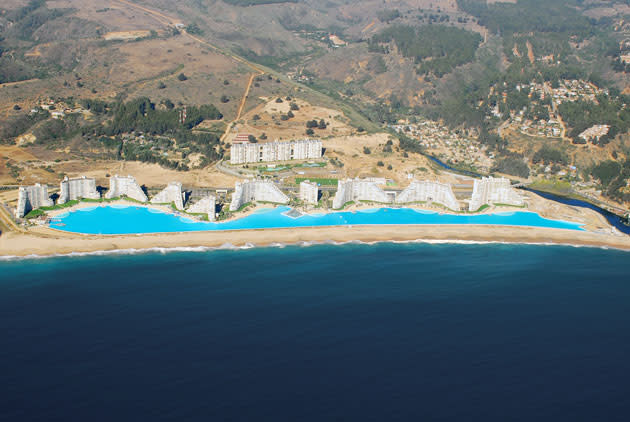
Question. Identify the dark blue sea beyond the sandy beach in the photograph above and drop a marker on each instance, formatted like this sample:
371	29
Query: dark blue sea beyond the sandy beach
410	332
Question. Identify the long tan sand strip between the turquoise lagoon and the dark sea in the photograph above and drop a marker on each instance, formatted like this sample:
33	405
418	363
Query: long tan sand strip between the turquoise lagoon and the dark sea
42	242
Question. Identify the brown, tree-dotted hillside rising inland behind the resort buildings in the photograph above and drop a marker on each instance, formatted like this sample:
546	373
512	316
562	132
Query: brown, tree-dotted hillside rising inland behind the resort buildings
486	70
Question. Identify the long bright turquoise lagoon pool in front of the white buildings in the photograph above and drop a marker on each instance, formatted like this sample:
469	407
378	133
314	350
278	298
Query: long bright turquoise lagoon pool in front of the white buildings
117	219
